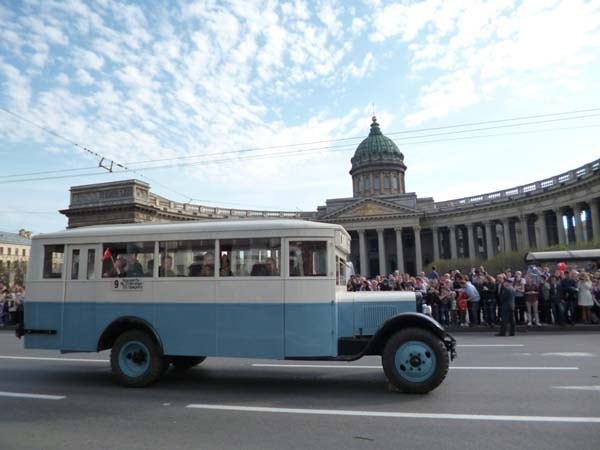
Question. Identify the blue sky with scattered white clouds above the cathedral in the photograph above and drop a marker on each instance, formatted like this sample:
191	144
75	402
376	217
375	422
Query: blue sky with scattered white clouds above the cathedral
261	104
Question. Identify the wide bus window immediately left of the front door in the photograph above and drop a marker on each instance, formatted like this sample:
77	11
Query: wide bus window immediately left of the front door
250	257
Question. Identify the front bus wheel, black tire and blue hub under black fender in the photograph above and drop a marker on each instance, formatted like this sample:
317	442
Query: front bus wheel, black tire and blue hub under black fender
415	360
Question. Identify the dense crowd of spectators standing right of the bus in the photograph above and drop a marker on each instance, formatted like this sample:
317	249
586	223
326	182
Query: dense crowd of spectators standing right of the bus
537	297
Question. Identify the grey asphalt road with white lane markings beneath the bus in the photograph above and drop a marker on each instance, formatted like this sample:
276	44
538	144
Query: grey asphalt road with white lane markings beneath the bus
537	391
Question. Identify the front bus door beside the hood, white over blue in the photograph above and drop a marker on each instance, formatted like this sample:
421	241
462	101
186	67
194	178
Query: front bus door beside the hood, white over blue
309	298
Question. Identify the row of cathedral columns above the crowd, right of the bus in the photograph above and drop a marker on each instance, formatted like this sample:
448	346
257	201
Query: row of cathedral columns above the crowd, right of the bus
383	249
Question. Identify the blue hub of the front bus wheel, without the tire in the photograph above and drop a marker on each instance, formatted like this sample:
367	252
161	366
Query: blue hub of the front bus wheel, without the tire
415	361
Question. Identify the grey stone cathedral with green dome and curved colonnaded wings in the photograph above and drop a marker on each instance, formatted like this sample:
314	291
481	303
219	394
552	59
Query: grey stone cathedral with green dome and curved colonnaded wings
393	229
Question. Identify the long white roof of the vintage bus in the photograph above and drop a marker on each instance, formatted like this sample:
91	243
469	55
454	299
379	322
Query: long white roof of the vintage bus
208	226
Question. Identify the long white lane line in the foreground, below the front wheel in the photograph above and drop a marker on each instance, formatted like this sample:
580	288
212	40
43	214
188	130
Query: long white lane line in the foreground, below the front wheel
399	415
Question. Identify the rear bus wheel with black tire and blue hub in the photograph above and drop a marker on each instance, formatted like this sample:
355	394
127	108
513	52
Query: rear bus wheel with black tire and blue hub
136	360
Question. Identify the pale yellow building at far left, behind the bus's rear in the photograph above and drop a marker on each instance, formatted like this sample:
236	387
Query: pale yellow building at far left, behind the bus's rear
14	254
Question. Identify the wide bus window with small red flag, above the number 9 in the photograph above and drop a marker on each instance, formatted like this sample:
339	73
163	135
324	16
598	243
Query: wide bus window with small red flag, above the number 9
130	259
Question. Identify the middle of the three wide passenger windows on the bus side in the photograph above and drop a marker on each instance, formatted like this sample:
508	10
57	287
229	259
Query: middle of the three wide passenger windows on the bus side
187	259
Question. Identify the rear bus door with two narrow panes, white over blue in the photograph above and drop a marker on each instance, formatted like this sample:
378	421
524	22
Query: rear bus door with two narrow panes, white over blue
79	306
